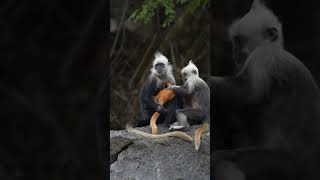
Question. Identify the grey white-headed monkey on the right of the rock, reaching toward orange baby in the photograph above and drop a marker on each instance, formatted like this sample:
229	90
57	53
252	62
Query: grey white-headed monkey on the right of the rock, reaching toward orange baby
196	106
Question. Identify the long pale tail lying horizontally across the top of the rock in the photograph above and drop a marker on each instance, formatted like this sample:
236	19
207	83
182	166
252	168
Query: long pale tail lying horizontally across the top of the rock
177	134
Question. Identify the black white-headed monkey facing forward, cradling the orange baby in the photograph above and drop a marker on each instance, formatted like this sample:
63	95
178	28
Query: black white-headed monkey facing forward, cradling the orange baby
161	74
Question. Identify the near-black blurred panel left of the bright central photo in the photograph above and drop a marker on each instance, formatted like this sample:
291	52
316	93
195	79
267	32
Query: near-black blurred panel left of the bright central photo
53	60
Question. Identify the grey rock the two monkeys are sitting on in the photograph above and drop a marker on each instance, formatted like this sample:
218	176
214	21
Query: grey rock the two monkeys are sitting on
138	158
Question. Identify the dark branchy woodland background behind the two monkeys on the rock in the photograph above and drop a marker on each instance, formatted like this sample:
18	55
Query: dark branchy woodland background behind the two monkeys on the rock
134	44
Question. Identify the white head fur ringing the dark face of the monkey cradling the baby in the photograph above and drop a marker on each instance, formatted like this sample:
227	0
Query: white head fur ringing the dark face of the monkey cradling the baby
168	75
